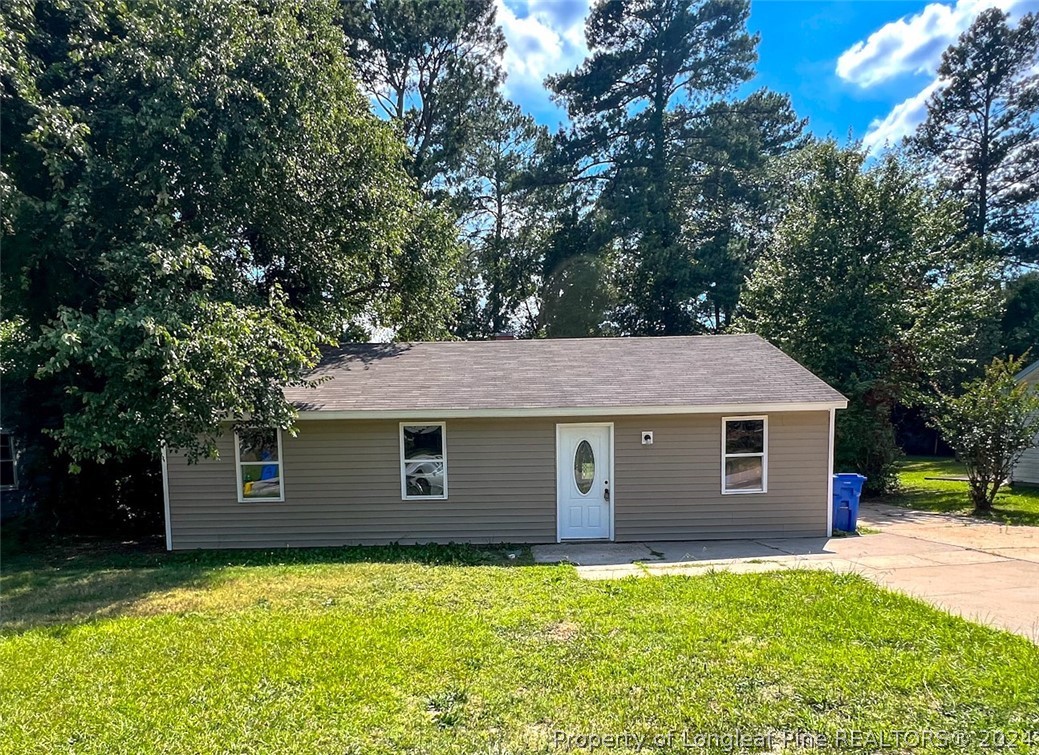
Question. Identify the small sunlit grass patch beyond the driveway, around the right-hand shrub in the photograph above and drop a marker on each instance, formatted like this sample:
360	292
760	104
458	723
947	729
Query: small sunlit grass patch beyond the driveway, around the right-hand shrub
1015	506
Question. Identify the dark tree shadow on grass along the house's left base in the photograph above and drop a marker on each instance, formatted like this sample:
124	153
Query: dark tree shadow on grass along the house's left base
74	582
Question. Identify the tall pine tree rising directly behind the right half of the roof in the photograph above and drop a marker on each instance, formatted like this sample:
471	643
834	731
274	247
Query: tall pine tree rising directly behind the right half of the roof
653	66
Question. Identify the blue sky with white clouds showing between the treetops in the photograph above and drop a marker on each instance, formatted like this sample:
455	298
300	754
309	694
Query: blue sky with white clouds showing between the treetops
855	68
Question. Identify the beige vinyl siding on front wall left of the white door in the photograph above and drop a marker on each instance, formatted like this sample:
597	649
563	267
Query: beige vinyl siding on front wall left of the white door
342	486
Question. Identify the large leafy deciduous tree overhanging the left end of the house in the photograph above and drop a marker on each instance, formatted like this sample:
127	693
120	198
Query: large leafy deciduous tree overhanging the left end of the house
197	198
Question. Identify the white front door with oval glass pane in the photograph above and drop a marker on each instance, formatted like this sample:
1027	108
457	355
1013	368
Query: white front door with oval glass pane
583	481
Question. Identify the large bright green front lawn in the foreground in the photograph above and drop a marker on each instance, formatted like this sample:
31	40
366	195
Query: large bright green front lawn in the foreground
463	651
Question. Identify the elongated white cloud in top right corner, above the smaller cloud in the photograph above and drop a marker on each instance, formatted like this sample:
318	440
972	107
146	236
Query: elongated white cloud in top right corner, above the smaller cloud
915	44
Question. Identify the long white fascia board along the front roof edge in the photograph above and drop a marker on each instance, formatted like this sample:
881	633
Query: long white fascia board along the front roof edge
457	414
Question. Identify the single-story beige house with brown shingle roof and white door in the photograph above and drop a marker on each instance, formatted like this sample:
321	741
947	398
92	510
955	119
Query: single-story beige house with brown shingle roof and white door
525	442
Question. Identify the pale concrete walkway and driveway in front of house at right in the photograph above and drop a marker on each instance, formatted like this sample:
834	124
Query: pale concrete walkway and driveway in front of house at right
983	572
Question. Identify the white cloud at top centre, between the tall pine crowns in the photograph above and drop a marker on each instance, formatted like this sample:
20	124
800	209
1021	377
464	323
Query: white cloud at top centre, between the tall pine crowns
548	39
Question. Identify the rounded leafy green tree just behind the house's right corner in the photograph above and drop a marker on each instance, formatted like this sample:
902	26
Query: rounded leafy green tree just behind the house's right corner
869	284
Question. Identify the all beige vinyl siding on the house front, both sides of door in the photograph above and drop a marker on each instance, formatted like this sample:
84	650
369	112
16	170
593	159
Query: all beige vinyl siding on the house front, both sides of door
342	486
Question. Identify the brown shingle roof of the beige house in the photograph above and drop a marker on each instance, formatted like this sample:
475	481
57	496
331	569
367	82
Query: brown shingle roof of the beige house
562	373
